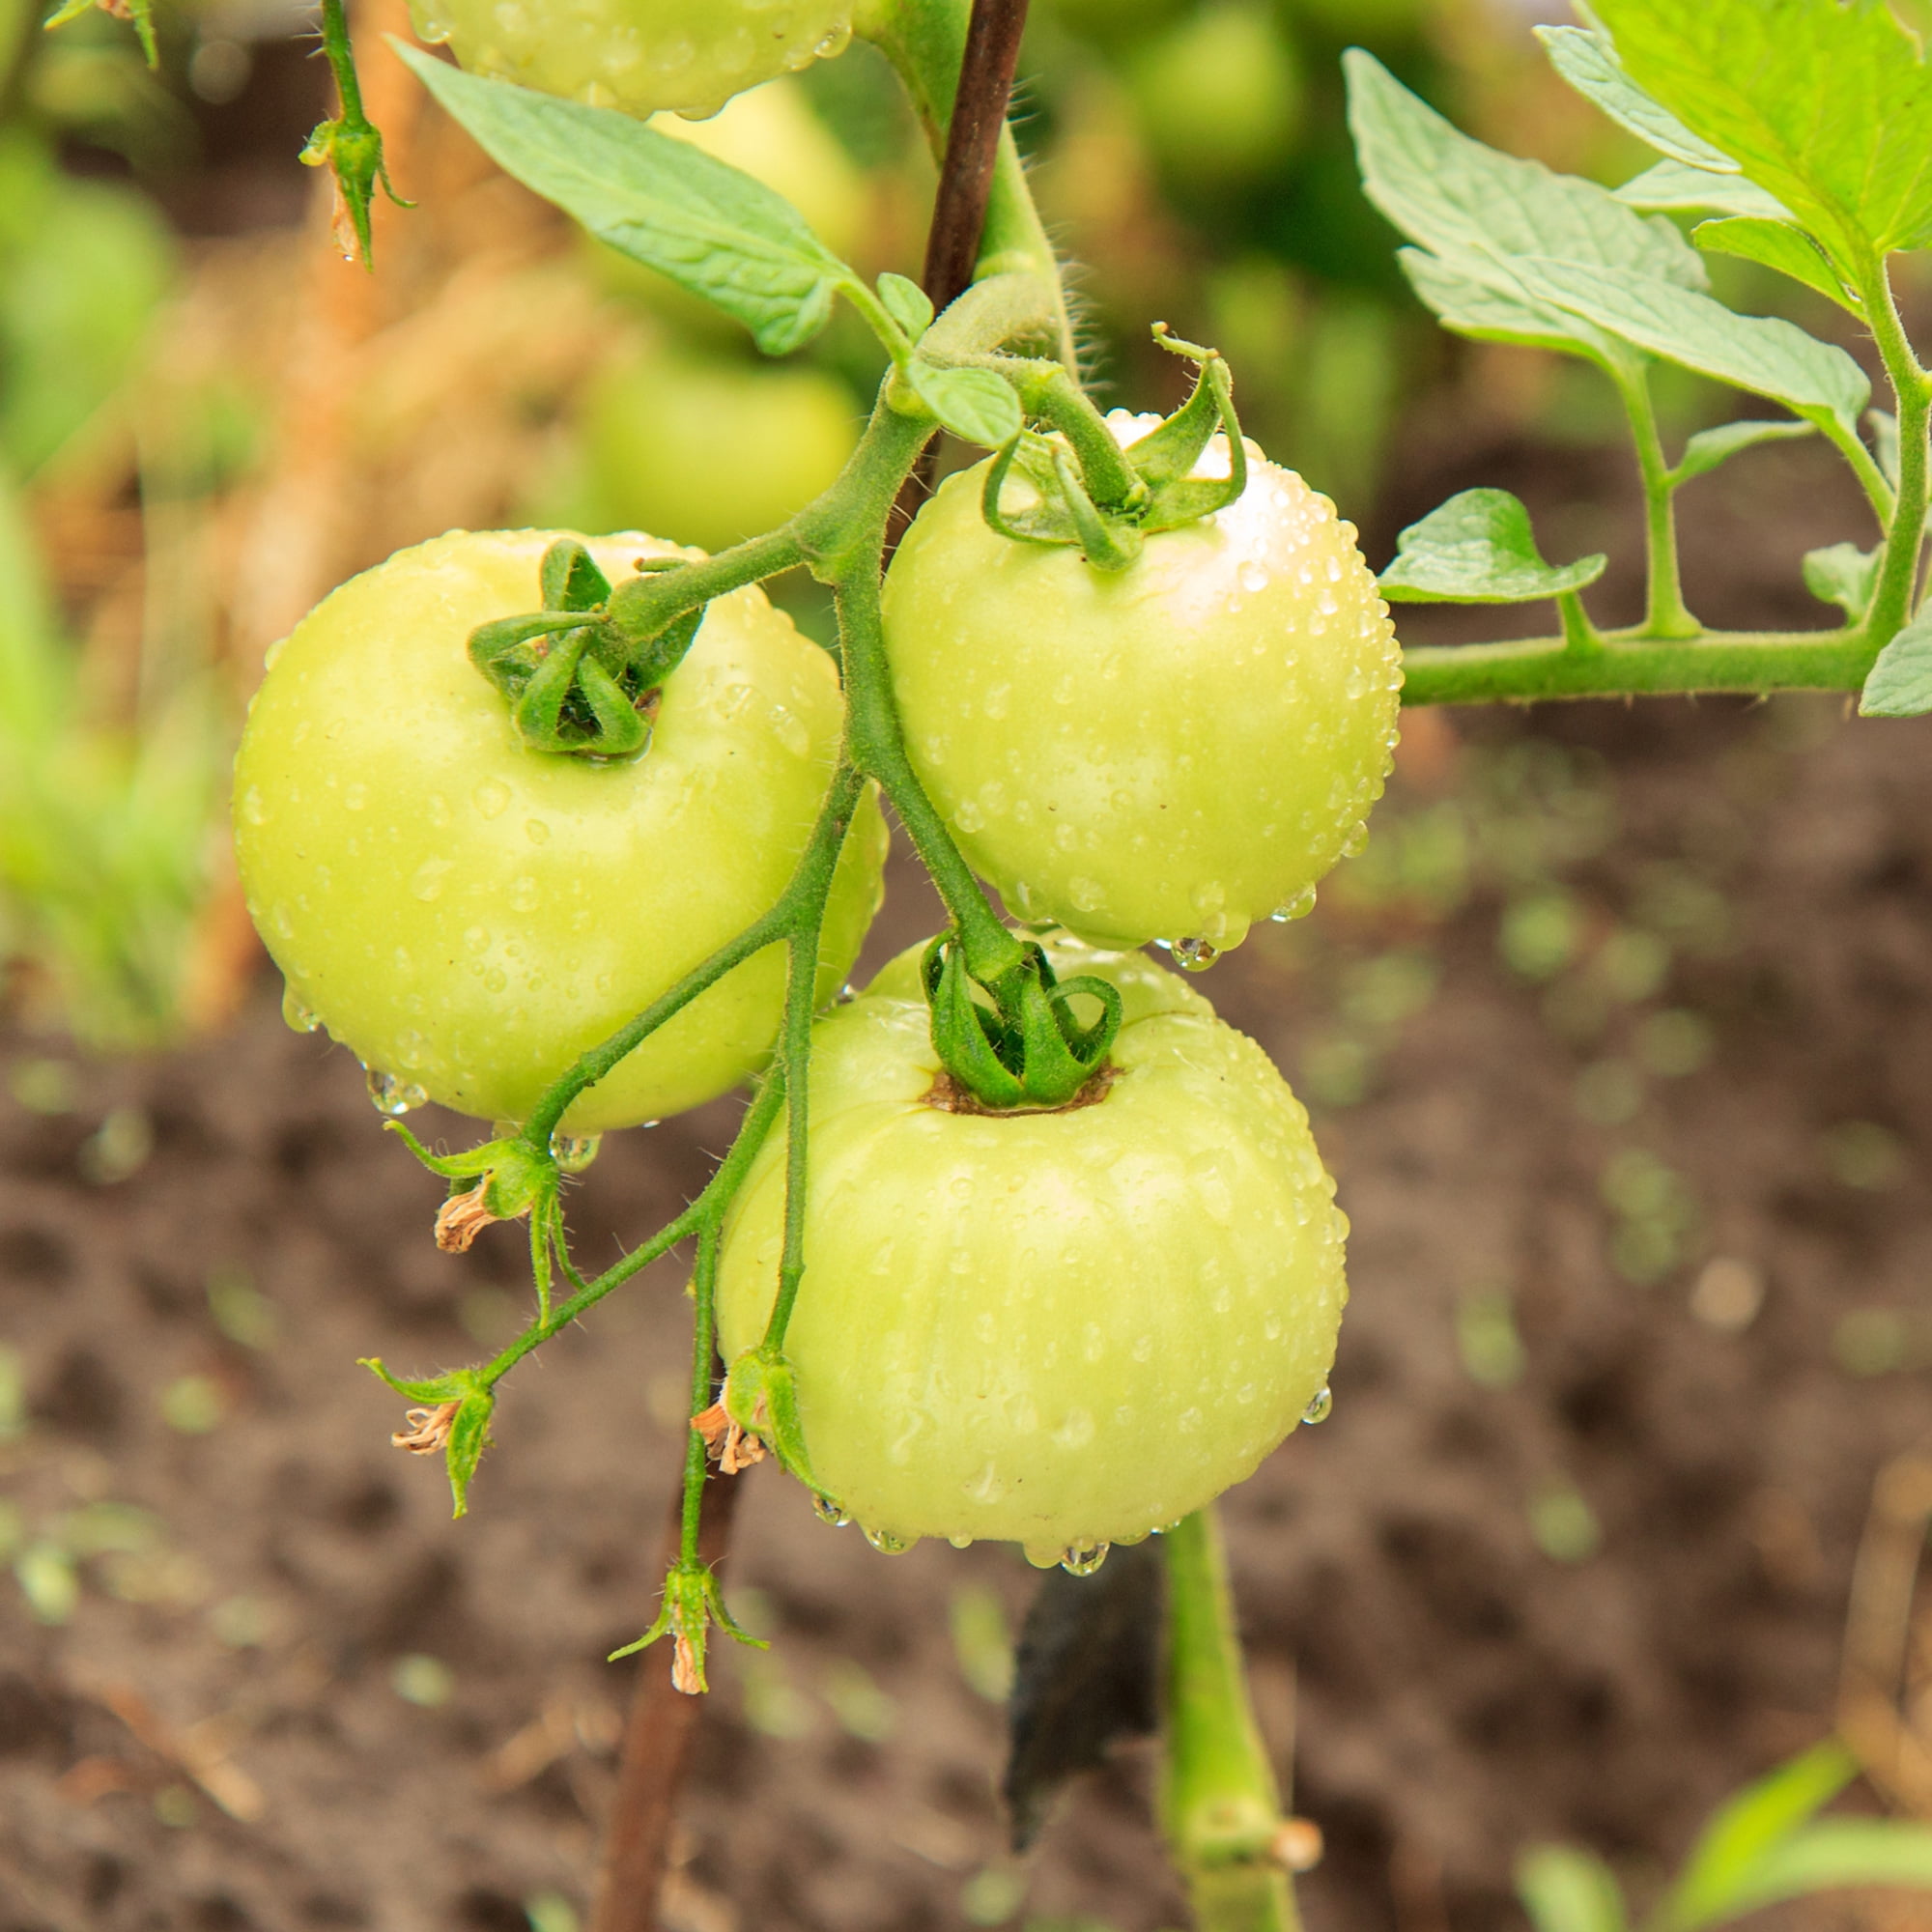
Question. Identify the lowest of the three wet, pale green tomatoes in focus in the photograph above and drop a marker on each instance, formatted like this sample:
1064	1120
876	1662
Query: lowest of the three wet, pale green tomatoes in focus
1062	1328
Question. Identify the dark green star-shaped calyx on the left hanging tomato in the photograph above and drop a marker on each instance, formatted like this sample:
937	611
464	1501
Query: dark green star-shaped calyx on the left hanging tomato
577	683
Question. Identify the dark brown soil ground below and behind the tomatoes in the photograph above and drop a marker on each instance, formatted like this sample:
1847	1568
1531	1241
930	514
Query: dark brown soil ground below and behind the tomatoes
1462	1690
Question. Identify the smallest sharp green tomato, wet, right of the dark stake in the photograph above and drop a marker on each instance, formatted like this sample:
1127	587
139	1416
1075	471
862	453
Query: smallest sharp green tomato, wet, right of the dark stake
1164	753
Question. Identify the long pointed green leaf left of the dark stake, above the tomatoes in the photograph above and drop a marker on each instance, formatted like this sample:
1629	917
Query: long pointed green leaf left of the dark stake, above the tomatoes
710	227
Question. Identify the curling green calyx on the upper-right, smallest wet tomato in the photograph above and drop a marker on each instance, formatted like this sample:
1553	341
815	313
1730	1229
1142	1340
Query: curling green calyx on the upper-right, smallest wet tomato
1071	505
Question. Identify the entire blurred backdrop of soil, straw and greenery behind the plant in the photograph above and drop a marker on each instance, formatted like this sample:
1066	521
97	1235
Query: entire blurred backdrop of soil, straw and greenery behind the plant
1616	1040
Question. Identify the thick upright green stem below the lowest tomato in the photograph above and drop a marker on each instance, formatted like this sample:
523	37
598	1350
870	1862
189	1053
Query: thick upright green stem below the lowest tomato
1220	1804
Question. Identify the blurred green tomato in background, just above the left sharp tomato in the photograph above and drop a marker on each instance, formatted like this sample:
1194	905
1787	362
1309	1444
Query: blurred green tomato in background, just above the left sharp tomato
712	453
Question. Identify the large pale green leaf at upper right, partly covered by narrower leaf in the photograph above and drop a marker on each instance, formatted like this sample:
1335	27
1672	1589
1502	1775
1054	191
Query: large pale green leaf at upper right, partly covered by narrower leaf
1479	212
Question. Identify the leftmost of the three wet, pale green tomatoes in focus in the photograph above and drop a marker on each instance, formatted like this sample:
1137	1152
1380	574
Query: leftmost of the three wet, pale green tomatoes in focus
467	915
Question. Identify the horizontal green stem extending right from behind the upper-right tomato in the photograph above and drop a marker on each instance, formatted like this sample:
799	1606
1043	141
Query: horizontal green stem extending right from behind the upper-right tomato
1635	666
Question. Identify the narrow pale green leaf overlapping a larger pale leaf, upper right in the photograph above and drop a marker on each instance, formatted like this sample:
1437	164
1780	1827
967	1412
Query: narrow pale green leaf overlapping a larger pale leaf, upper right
1755	353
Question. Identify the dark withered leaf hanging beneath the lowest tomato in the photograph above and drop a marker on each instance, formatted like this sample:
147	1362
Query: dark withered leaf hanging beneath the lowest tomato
1085	1676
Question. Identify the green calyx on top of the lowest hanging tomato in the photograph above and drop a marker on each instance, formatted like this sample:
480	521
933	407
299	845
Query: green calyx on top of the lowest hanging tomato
1023	1050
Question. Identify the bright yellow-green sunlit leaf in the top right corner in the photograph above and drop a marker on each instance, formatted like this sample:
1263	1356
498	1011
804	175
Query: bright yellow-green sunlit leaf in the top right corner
1825	103
